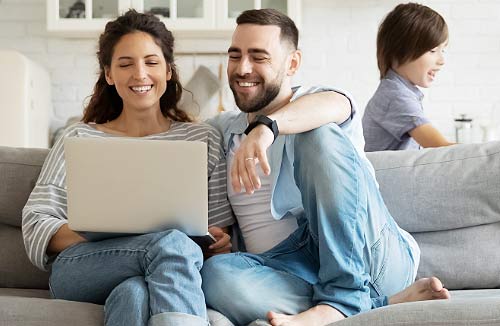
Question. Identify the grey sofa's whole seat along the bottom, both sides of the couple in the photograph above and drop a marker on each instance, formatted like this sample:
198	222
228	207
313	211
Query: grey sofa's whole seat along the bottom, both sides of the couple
468	307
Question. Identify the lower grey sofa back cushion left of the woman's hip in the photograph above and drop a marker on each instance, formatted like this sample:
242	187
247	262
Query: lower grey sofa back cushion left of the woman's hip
16	270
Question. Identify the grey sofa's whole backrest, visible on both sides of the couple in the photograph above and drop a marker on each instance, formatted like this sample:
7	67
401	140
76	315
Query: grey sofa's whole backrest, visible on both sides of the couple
448	198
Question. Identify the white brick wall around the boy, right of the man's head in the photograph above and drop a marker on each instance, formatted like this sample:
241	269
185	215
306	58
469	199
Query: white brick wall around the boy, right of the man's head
339	44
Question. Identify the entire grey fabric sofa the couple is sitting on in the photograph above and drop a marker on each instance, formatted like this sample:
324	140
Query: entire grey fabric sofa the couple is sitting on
448	198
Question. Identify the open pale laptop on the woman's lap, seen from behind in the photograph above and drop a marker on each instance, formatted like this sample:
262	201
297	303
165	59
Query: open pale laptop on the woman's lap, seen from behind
126	185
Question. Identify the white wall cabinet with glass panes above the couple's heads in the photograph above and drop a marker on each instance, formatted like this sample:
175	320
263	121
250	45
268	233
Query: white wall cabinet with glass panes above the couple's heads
200	19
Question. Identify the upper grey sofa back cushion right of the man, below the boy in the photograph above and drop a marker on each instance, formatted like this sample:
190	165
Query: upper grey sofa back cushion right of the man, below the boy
442	188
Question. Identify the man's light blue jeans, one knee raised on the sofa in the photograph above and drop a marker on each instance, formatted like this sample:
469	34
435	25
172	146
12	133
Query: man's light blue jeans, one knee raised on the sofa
348	252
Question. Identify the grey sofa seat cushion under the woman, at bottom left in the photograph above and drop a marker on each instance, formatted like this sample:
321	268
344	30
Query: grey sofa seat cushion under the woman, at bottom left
34	307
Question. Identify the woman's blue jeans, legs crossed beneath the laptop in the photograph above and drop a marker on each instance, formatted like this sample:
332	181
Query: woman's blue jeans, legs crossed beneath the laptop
152	278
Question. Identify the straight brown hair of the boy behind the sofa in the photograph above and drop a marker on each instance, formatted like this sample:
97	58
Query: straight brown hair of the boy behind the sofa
406	33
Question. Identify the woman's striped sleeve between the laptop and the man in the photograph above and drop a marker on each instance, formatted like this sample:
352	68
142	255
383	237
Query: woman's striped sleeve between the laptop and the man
219	210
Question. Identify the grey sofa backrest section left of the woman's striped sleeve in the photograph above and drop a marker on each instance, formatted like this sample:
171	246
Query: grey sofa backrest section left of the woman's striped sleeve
19	169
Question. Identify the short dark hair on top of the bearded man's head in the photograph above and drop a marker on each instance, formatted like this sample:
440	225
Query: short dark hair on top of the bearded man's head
288	30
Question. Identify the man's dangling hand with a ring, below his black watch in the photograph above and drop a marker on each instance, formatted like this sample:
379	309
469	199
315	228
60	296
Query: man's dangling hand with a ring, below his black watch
252	150
